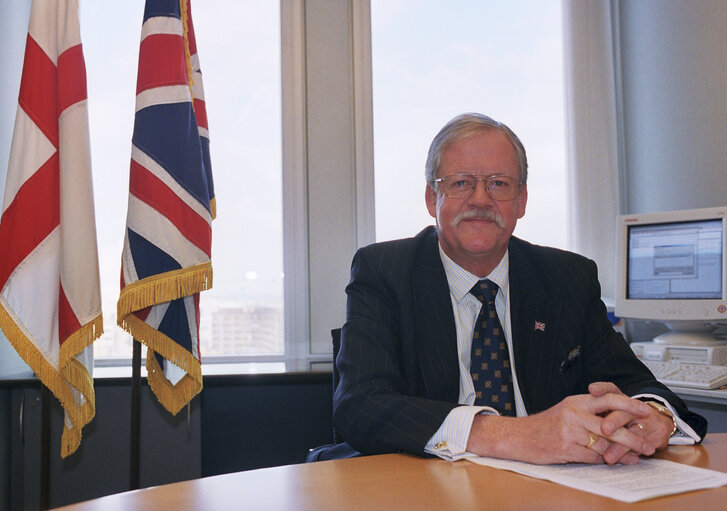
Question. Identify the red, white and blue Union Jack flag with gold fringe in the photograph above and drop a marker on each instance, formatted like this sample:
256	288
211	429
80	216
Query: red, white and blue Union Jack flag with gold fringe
166	256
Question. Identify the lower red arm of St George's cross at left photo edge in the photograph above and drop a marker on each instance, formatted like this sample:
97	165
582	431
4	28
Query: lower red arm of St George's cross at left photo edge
30	218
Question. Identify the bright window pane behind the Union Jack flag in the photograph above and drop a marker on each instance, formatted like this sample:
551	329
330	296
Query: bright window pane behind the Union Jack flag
239	49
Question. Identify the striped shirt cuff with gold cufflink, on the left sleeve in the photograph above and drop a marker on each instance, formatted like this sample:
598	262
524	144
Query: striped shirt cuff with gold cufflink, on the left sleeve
450	440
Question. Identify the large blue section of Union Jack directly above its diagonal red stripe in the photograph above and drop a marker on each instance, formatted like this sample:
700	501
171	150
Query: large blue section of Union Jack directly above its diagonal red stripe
158	131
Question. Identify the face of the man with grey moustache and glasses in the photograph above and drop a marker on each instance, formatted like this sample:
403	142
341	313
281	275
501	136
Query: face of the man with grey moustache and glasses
477	244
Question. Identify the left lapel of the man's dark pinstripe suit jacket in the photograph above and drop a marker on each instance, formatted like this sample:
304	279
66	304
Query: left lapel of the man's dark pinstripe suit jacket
436	336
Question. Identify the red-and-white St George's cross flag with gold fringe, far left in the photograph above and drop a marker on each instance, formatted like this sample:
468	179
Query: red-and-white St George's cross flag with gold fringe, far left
50	299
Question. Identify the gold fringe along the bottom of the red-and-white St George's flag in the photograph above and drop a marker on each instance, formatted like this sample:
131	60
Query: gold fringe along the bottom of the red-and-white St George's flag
71	379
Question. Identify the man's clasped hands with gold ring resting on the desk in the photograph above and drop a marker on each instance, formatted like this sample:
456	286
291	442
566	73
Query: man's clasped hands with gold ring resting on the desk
603	426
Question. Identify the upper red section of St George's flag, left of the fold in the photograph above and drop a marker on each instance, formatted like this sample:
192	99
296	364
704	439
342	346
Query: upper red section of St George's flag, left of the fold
38	90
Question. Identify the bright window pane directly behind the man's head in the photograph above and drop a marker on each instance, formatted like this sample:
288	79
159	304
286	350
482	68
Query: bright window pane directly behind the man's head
433	60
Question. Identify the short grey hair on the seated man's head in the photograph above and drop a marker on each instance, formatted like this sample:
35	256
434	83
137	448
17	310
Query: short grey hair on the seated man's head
466	125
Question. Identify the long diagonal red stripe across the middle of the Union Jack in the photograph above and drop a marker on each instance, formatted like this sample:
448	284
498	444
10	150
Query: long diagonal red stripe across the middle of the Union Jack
152	190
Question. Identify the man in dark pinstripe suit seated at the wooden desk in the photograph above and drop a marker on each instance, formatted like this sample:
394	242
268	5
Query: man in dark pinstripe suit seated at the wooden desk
540	376
